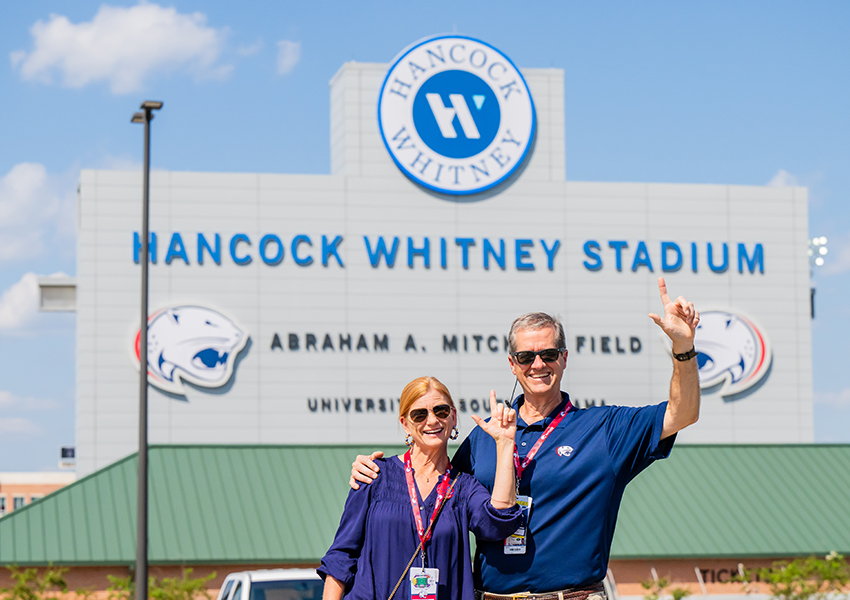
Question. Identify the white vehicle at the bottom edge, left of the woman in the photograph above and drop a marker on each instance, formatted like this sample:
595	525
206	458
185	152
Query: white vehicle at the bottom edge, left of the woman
272	584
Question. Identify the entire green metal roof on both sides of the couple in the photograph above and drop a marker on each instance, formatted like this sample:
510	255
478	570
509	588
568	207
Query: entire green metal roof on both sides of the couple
281	505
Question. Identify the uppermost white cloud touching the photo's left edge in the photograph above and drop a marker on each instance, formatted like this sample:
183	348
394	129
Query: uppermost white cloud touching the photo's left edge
33	210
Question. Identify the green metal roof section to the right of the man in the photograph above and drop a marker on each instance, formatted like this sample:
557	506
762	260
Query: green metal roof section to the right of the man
739	501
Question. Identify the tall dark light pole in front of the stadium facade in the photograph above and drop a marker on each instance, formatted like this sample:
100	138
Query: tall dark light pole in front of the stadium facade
142	500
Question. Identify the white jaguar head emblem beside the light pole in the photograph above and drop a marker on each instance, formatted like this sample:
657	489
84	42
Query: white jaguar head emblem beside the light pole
190	343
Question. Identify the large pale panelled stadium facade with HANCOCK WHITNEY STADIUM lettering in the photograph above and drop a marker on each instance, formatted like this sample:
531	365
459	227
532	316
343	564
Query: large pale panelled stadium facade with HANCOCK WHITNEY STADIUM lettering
292	309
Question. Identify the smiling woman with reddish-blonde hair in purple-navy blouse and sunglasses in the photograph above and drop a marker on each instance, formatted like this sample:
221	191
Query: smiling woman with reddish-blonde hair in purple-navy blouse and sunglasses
380	530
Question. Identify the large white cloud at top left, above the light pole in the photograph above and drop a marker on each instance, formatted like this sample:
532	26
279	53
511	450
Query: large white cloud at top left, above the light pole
122	46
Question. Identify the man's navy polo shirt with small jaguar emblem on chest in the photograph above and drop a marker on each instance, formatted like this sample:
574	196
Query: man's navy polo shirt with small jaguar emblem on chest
576	482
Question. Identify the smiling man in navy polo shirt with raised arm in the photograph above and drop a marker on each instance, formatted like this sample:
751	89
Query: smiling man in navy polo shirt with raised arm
572	465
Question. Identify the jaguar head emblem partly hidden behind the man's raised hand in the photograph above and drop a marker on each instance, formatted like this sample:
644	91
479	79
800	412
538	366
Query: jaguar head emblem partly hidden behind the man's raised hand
734	353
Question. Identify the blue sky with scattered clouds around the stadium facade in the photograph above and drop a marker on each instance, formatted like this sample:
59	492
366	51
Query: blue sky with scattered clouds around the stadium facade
716	92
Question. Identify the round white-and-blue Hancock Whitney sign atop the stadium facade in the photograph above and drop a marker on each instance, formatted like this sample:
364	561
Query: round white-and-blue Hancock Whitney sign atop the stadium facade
456	115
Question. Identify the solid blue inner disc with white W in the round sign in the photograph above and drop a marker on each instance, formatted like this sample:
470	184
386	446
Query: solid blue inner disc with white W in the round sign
456	114
